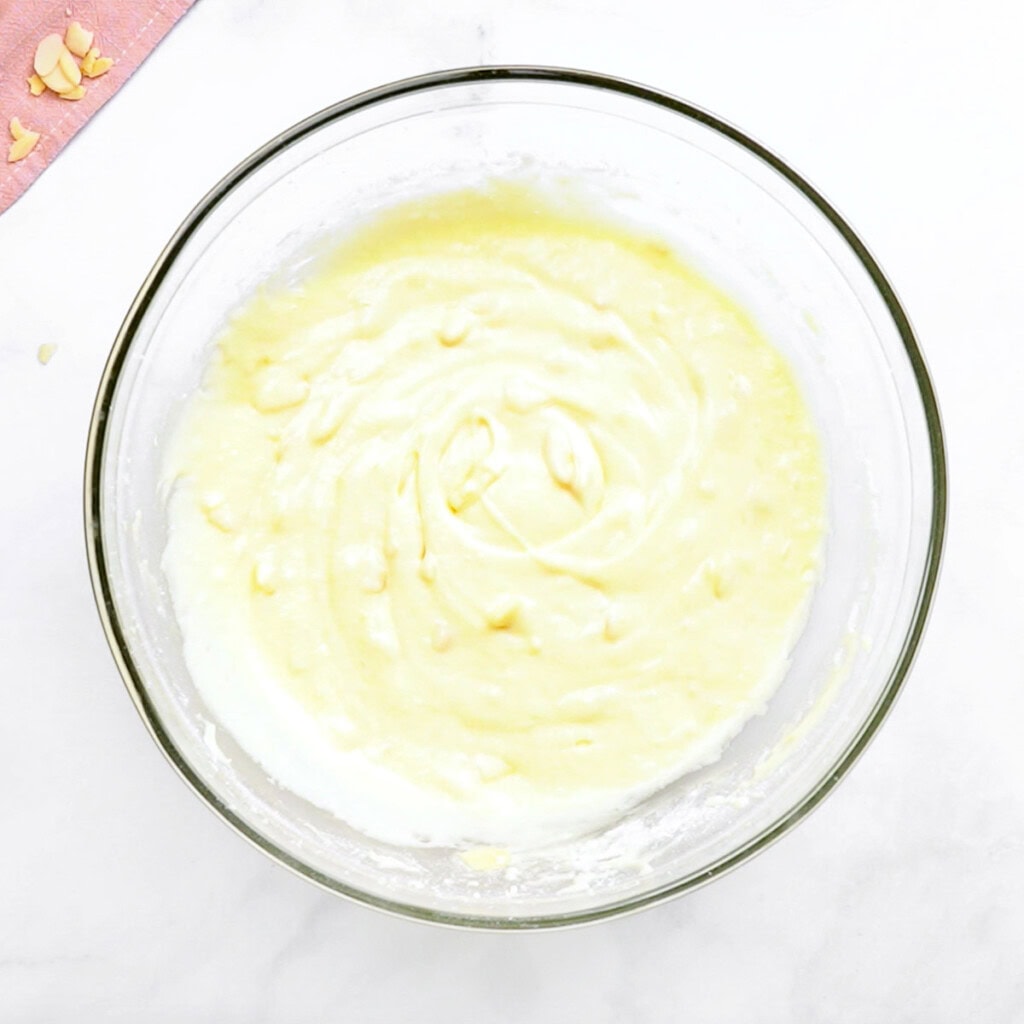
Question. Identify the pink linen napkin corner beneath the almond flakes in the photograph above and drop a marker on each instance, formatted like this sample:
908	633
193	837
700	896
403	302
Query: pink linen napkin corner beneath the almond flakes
126	31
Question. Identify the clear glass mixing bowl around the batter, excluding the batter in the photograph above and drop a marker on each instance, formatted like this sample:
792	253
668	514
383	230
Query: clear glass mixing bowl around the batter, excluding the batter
748	222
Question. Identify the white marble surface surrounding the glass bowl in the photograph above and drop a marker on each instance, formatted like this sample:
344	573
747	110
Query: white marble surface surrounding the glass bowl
122	899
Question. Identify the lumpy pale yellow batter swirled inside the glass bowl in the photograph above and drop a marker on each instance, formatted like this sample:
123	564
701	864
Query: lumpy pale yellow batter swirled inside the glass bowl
501	521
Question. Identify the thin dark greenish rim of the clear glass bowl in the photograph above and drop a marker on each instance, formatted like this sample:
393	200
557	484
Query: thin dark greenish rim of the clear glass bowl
98	437
